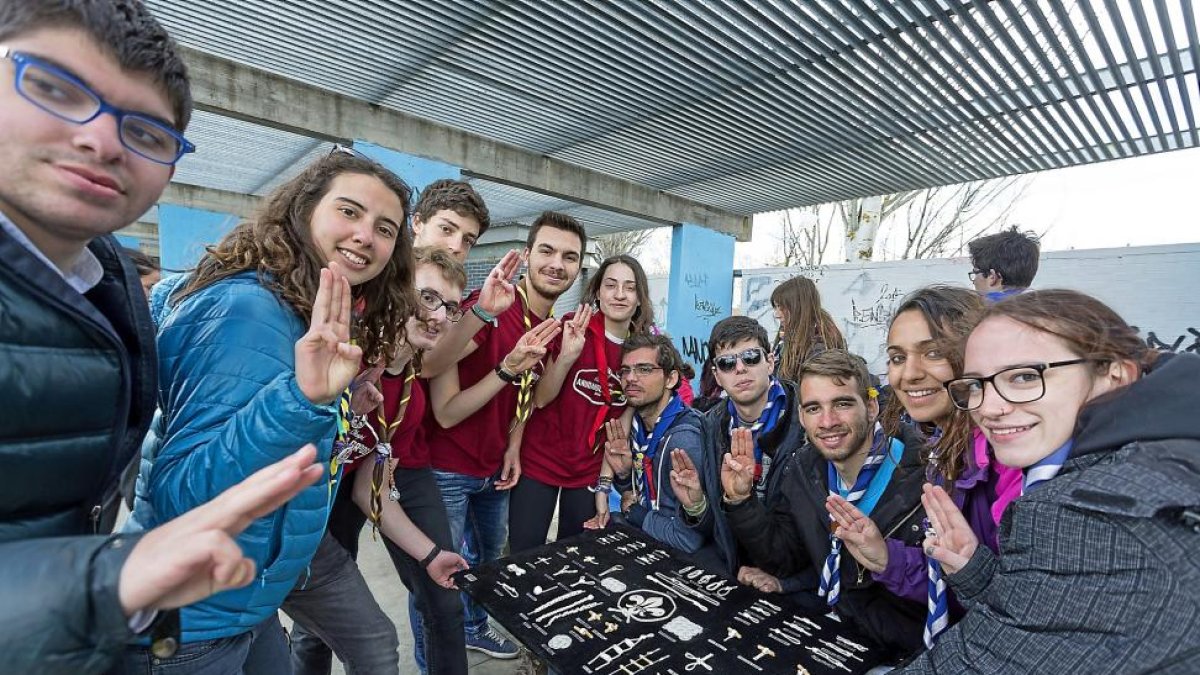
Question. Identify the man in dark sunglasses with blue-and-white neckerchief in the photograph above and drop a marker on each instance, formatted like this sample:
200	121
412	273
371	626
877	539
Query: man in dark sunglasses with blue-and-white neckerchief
759	410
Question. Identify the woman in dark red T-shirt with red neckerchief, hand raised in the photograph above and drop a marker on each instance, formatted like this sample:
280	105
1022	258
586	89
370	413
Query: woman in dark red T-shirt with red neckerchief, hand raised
578	399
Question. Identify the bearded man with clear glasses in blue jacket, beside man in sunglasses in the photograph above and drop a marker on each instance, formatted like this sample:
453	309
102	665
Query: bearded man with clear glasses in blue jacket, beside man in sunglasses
663	431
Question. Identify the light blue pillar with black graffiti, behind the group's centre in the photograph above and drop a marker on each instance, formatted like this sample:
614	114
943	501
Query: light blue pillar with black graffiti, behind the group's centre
700	290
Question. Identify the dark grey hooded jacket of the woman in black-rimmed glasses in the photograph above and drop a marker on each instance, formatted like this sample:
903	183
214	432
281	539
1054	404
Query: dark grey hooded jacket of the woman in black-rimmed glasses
1099	569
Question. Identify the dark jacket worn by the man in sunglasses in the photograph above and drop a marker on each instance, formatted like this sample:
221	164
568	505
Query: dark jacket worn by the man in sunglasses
722	552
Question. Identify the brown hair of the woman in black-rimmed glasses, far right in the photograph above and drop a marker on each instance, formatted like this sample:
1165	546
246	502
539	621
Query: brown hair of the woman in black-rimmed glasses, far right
1089	327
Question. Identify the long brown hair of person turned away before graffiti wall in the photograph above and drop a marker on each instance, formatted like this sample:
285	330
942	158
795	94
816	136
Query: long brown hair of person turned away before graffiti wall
807	326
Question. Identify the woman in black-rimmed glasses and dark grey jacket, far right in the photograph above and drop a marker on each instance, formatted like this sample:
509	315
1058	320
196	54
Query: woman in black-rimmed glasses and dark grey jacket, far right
1097	570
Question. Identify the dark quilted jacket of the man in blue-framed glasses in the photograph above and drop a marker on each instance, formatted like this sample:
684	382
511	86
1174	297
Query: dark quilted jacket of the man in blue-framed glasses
79	387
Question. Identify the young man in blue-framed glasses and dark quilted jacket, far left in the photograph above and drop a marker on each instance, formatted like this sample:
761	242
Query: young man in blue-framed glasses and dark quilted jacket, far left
93	101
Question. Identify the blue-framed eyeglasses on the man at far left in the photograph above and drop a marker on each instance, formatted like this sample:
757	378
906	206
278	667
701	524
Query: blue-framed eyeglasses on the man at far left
65	97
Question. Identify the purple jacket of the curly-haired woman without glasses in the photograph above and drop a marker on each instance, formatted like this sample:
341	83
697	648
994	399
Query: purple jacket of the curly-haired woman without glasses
981	493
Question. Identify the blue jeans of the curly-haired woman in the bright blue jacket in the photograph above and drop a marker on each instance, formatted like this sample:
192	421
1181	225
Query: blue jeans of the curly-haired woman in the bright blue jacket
263	650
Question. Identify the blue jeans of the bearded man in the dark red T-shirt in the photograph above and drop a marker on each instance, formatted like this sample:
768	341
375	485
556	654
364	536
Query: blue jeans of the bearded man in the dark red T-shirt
479	517
